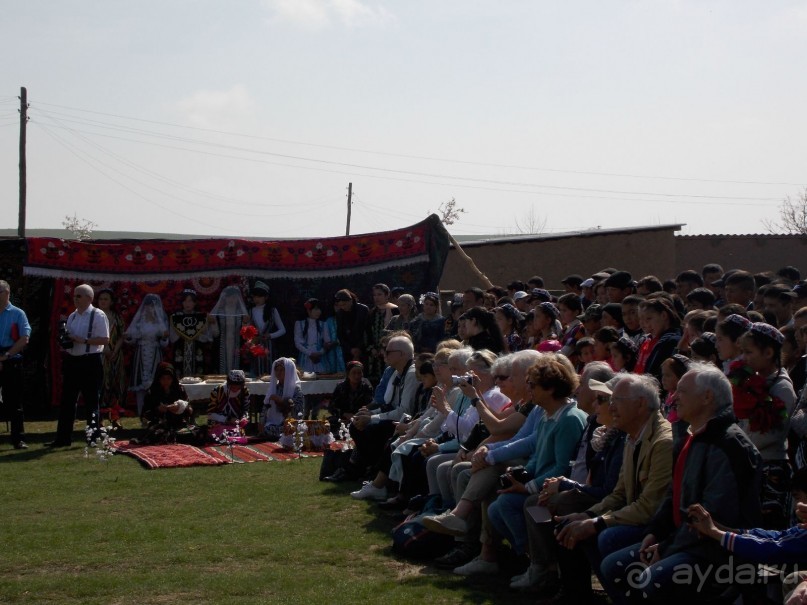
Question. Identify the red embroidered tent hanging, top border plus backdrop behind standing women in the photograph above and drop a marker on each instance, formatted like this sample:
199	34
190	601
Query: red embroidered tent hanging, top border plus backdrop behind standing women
412	257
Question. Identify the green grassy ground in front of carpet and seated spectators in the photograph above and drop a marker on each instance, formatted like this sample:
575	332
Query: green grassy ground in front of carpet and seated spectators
78	530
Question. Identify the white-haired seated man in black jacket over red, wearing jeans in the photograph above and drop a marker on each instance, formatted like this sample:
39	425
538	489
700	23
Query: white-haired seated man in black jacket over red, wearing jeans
718	467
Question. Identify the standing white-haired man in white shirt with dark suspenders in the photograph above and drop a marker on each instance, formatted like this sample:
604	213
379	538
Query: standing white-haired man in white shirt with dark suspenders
86	334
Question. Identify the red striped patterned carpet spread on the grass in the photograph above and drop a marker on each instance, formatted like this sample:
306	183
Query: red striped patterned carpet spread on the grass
179	455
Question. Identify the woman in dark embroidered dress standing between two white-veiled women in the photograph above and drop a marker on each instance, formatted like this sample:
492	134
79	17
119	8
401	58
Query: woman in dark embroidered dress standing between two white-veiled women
191	329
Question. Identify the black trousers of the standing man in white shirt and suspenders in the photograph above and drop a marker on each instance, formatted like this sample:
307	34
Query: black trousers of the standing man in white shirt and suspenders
84	375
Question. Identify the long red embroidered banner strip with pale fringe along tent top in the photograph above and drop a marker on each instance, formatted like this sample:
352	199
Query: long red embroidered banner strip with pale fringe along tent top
150	260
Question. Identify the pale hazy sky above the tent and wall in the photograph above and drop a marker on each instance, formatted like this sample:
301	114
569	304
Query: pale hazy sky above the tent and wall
250	117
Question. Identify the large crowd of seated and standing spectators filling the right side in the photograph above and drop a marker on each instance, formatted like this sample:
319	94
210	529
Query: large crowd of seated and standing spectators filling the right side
624	430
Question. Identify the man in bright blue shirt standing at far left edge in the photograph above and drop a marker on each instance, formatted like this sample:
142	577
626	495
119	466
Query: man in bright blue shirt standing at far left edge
14	333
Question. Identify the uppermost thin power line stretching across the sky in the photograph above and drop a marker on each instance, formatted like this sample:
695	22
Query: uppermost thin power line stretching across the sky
432	158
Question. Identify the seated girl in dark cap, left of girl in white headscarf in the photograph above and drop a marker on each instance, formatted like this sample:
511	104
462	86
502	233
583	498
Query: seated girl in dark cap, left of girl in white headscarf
228	412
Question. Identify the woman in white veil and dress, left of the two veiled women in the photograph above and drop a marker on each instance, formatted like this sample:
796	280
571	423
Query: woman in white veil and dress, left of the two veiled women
149	333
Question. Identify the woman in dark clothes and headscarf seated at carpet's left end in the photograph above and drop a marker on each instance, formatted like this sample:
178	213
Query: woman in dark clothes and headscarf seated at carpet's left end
166	412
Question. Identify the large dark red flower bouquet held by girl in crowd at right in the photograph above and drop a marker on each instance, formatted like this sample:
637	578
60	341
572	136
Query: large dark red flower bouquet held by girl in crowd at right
753	401
